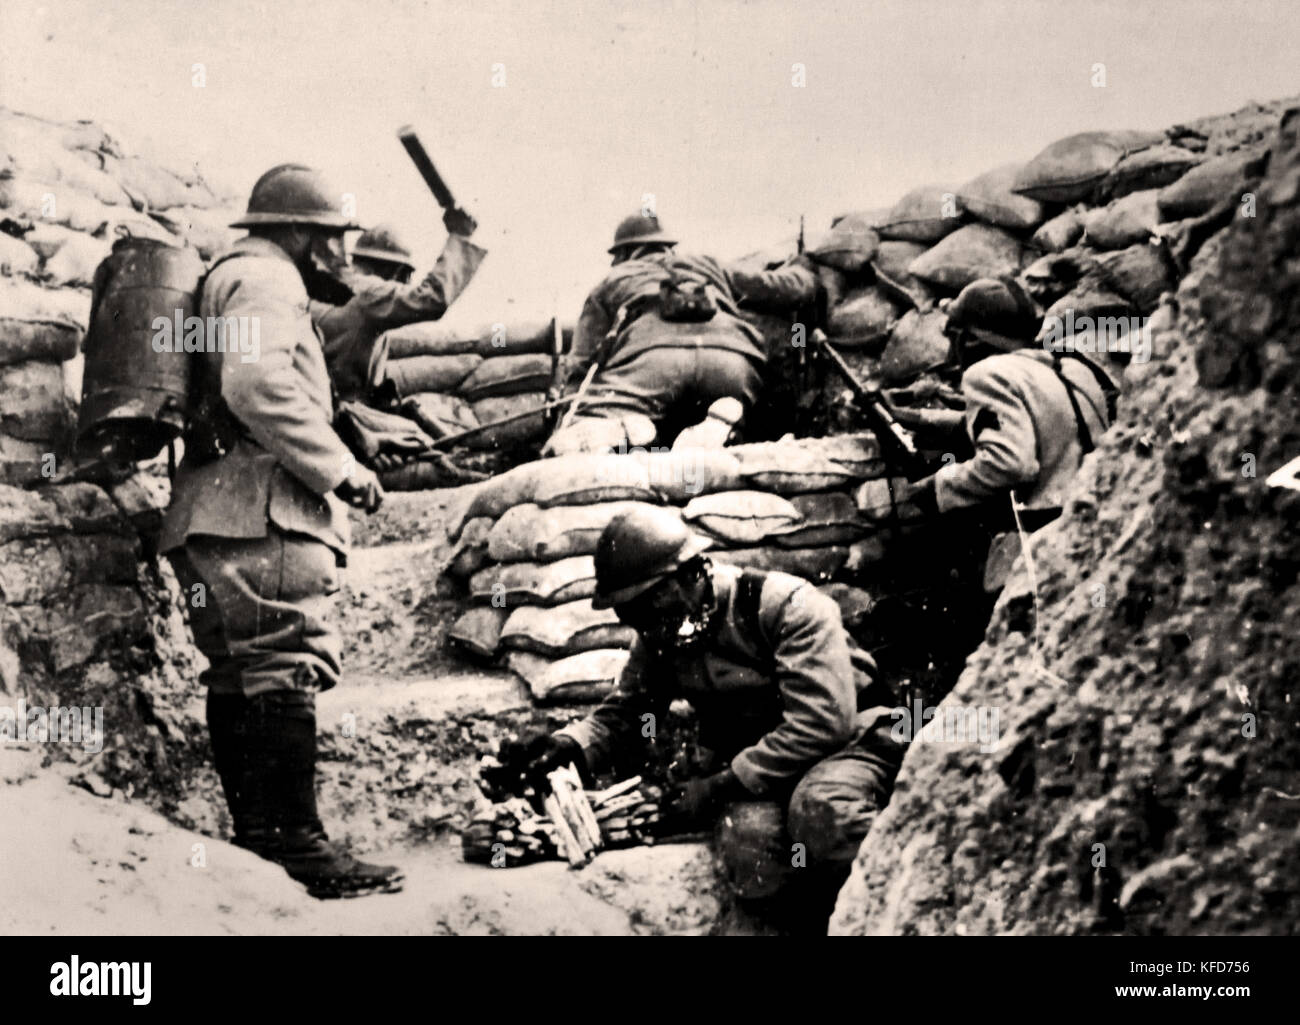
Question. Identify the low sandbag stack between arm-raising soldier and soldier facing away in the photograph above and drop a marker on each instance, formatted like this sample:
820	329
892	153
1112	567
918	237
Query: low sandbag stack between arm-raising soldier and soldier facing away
457	379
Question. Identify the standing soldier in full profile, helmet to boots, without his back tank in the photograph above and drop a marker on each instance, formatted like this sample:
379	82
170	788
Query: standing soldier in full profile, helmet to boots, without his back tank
258	531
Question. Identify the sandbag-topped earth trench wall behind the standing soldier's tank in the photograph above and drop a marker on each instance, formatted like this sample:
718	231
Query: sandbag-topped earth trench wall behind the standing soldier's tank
89	617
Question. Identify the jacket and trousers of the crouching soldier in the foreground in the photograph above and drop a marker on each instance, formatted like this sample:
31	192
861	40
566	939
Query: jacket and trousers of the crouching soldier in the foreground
782	694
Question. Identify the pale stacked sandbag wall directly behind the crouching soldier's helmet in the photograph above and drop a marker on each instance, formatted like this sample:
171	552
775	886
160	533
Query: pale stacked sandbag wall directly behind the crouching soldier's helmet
526	544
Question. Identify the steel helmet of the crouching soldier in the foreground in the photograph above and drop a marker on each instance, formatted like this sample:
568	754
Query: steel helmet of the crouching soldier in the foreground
638	550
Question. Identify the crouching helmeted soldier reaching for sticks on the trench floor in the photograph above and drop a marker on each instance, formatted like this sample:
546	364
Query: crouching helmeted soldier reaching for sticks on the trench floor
786	700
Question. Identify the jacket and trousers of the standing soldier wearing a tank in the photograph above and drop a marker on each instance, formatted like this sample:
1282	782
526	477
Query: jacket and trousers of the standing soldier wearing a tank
261	527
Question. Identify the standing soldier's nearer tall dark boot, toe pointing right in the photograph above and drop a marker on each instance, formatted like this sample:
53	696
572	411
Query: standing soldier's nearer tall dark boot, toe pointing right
279	802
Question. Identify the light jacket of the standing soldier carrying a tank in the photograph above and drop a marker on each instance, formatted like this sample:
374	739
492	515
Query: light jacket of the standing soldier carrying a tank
287	470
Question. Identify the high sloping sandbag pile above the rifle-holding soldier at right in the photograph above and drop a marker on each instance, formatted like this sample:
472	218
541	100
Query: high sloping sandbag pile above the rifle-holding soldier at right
1099	224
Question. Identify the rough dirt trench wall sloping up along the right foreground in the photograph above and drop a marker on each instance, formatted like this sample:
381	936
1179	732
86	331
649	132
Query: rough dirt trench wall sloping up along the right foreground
1146	780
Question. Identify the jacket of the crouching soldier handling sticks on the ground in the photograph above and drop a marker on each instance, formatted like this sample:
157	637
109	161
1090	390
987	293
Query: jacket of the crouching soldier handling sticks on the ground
774	704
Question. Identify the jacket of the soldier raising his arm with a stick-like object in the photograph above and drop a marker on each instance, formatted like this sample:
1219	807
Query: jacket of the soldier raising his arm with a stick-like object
349	332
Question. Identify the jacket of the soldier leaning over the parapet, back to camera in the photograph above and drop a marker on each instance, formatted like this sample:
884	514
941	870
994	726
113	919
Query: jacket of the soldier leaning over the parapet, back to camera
730	288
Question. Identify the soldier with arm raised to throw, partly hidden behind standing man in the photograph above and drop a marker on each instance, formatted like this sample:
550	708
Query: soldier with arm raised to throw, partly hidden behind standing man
380	297
